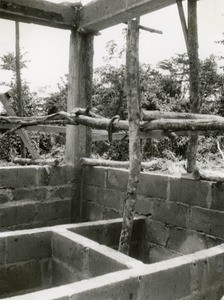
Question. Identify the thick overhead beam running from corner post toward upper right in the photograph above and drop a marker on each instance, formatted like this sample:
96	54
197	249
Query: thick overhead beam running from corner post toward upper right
101	14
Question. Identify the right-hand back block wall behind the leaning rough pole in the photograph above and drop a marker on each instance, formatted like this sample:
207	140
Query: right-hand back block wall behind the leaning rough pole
183	215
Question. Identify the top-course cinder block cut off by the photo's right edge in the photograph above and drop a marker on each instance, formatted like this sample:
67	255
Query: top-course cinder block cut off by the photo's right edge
217	195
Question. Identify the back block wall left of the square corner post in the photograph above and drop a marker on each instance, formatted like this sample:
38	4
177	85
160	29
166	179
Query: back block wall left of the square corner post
35	196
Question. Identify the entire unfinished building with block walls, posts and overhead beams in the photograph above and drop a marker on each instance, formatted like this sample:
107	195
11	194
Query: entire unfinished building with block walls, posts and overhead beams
61	225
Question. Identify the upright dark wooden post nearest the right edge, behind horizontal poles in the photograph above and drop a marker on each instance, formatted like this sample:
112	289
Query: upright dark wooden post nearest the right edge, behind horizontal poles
194	79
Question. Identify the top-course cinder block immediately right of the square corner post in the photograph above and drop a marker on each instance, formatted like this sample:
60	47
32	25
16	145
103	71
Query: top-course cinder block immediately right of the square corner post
95	176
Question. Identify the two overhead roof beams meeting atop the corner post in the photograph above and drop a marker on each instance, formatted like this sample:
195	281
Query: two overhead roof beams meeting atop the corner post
95	16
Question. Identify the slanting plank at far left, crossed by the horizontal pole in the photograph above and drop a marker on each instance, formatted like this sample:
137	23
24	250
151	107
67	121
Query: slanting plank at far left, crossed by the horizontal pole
21	132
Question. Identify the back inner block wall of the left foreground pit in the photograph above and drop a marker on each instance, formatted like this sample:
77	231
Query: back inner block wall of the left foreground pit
25	262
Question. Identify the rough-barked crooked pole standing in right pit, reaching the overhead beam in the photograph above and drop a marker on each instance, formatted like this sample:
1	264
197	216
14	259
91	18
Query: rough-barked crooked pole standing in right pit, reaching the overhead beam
134	115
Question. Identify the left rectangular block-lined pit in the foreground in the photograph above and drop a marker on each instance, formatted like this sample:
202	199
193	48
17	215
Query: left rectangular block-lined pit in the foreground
33	260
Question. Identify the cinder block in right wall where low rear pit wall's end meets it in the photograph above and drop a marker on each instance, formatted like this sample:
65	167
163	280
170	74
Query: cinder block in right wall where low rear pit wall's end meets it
156	232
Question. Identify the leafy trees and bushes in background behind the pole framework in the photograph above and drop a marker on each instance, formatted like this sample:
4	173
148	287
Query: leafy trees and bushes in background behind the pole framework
165	88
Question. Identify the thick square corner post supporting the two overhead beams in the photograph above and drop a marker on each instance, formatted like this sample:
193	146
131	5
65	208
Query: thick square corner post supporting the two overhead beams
78	138
